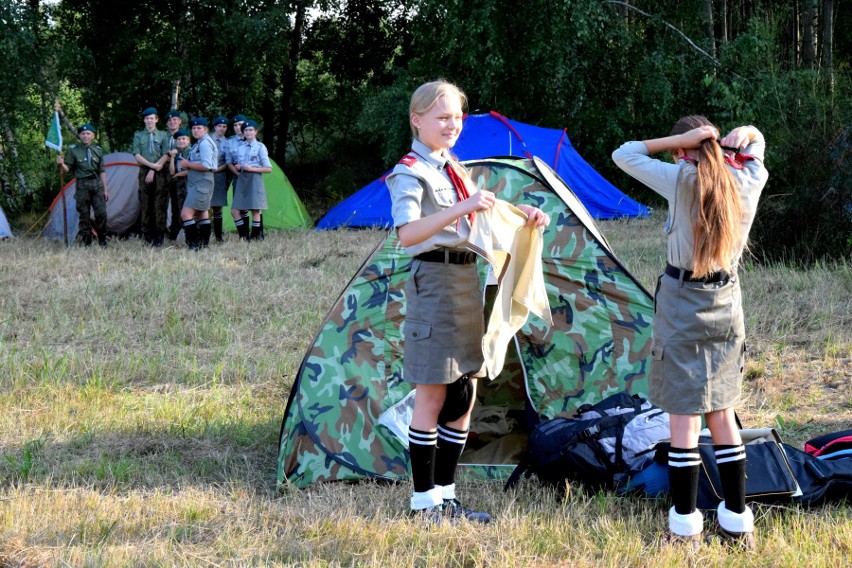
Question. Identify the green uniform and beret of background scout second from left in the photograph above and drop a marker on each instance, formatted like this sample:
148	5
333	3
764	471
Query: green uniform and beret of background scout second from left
154	197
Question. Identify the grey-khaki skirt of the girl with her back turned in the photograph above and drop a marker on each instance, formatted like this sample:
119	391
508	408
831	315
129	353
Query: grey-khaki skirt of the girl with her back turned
699	346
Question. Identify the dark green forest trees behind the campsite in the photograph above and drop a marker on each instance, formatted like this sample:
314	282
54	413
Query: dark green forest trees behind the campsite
329	82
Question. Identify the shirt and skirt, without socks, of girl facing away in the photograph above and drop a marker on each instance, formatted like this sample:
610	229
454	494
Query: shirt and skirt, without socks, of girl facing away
684	343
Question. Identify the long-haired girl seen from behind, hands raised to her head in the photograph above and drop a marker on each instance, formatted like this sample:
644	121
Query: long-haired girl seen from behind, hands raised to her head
699	338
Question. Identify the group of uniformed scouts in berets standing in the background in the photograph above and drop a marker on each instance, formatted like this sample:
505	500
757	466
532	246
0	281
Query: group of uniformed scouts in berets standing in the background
190	178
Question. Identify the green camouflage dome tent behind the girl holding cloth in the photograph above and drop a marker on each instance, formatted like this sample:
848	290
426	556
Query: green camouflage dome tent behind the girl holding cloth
340	424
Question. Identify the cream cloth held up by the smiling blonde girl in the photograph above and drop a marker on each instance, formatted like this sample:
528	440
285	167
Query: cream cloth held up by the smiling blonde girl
514	252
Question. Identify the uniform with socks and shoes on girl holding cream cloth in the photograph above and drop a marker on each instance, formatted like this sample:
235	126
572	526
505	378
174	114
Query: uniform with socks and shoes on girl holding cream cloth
444	322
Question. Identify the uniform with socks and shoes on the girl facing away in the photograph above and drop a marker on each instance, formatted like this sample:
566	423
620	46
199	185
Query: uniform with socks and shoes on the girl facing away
698	346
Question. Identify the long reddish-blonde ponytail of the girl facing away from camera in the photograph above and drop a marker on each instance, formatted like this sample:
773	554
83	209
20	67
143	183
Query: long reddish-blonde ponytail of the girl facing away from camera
717	230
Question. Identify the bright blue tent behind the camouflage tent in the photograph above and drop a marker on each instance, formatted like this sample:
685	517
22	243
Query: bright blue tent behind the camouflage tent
489	135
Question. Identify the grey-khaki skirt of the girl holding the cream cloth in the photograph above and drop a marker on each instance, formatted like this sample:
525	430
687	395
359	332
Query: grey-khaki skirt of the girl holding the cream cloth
444	323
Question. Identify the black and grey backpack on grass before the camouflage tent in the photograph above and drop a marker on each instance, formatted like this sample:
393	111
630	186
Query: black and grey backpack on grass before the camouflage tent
601	446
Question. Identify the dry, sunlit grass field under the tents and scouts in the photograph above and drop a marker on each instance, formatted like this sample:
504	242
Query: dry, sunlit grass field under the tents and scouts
143	392
